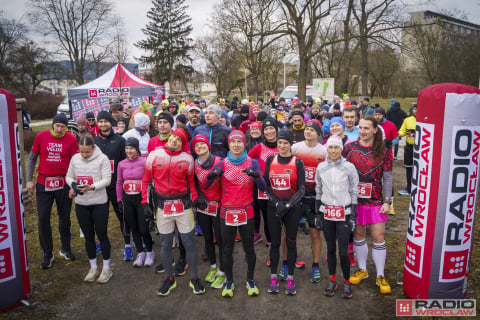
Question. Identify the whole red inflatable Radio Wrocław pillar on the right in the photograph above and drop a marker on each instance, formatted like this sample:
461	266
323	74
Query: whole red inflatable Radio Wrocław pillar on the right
444	192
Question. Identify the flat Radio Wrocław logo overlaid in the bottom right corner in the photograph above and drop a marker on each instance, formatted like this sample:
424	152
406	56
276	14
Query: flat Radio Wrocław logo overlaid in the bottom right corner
436	307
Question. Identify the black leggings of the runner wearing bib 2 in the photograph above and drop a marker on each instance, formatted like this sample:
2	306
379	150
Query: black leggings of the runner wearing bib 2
228	236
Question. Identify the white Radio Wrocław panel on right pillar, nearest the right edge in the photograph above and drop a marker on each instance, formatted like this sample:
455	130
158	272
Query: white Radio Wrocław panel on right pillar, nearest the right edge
461	199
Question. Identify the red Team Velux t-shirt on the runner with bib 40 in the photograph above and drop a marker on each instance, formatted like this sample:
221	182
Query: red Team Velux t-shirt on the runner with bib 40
54	153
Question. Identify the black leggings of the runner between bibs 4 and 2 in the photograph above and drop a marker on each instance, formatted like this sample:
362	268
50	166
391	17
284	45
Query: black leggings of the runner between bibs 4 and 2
211	226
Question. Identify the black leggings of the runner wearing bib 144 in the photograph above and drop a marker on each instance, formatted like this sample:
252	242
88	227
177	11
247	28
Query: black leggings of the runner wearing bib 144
290	220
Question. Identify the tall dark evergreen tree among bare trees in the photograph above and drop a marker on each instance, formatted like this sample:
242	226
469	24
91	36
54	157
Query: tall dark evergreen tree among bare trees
168	42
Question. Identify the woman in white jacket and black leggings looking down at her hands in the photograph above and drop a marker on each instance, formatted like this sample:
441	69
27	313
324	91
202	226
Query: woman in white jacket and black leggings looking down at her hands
88	175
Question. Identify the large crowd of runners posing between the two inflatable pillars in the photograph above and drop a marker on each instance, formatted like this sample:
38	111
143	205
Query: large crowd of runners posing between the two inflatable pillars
330	165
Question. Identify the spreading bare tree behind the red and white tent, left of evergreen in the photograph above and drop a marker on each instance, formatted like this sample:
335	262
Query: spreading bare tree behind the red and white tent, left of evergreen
79	27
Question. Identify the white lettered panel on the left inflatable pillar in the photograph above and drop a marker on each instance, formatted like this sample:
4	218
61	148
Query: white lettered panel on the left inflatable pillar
7	262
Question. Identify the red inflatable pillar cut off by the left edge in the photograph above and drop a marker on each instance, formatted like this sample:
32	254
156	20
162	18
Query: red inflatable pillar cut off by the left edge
14	275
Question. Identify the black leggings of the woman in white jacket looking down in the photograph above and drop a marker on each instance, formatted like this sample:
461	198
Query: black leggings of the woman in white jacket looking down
94	219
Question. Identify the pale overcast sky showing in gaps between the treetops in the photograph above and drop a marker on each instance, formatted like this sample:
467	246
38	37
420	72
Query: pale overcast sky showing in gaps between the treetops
134	13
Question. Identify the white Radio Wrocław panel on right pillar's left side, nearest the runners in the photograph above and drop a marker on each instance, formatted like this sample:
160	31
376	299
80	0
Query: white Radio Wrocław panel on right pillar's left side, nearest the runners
419	201
